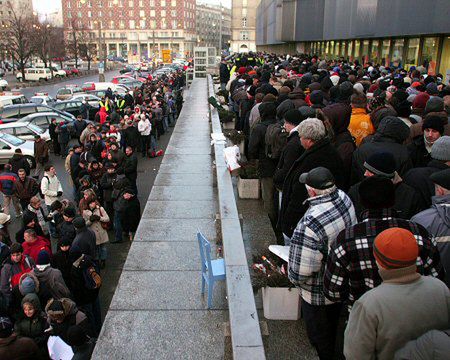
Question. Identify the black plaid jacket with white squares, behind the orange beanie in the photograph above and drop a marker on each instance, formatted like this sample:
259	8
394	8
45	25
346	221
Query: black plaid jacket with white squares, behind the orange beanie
351	269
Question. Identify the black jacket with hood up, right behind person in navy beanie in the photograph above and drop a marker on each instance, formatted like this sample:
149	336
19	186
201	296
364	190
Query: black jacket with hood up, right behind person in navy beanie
390	136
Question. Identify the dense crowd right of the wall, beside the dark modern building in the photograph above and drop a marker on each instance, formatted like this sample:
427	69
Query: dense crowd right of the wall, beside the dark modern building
354	163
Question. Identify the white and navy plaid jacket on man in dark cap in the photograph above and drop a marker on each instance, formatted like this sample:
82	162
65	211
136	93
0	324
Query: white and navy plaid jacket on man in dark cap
325	218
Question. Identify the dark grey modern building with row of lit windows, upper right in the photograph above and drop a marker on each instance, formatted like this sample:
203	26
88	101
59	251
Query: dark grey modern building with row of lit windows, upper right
392	32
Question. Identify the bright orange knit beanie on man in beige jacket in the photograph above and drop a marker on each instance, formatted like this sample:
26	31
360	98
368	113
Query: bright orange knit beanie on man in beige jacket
395	248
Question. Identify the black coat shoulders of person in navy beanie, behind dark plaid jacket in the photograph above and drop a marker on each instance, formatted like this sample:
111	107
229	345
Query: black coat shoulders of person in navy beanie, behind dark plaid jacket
407	201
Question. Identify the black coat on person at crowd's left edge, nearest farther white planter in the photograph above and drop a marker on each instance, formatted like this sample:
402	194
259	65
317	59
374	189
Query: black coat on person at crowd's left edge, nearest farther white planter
257	149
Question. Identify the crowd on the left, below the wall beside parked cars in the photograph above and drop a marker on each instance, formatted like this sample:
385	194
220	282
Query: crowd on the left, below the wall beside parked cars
51	268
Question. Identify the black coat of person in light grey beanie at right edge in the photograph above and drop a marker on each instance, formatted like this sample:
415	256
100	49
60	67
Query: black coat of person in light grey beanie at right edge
419	179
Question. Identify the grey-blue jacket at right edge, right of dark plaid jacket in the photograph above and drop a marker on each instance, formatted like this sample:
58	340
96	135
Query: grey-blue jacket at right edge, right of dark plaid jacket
437	221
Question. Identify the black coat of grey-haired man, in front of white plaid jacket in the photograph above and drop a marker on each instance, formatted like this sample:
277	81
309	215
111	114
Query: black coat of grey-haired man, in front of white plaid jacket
294	192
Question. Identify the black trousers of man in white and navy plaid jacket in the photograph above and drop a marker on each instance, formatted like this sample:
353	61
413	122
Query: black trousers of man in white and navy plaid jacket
321	326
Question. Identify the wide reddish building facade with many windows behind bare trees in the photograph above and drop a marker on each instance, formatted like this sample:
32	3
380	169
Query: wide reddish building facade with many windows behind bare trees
141	28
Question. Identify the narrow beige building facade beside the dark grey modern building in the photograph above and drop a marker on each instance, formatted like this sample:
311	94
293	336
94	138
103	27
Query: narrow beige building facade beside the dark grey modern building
243	25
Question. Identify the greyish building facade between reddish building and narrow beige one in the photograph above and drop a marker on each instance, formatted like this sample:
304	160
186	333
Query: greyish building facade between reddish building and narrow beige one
213	25
